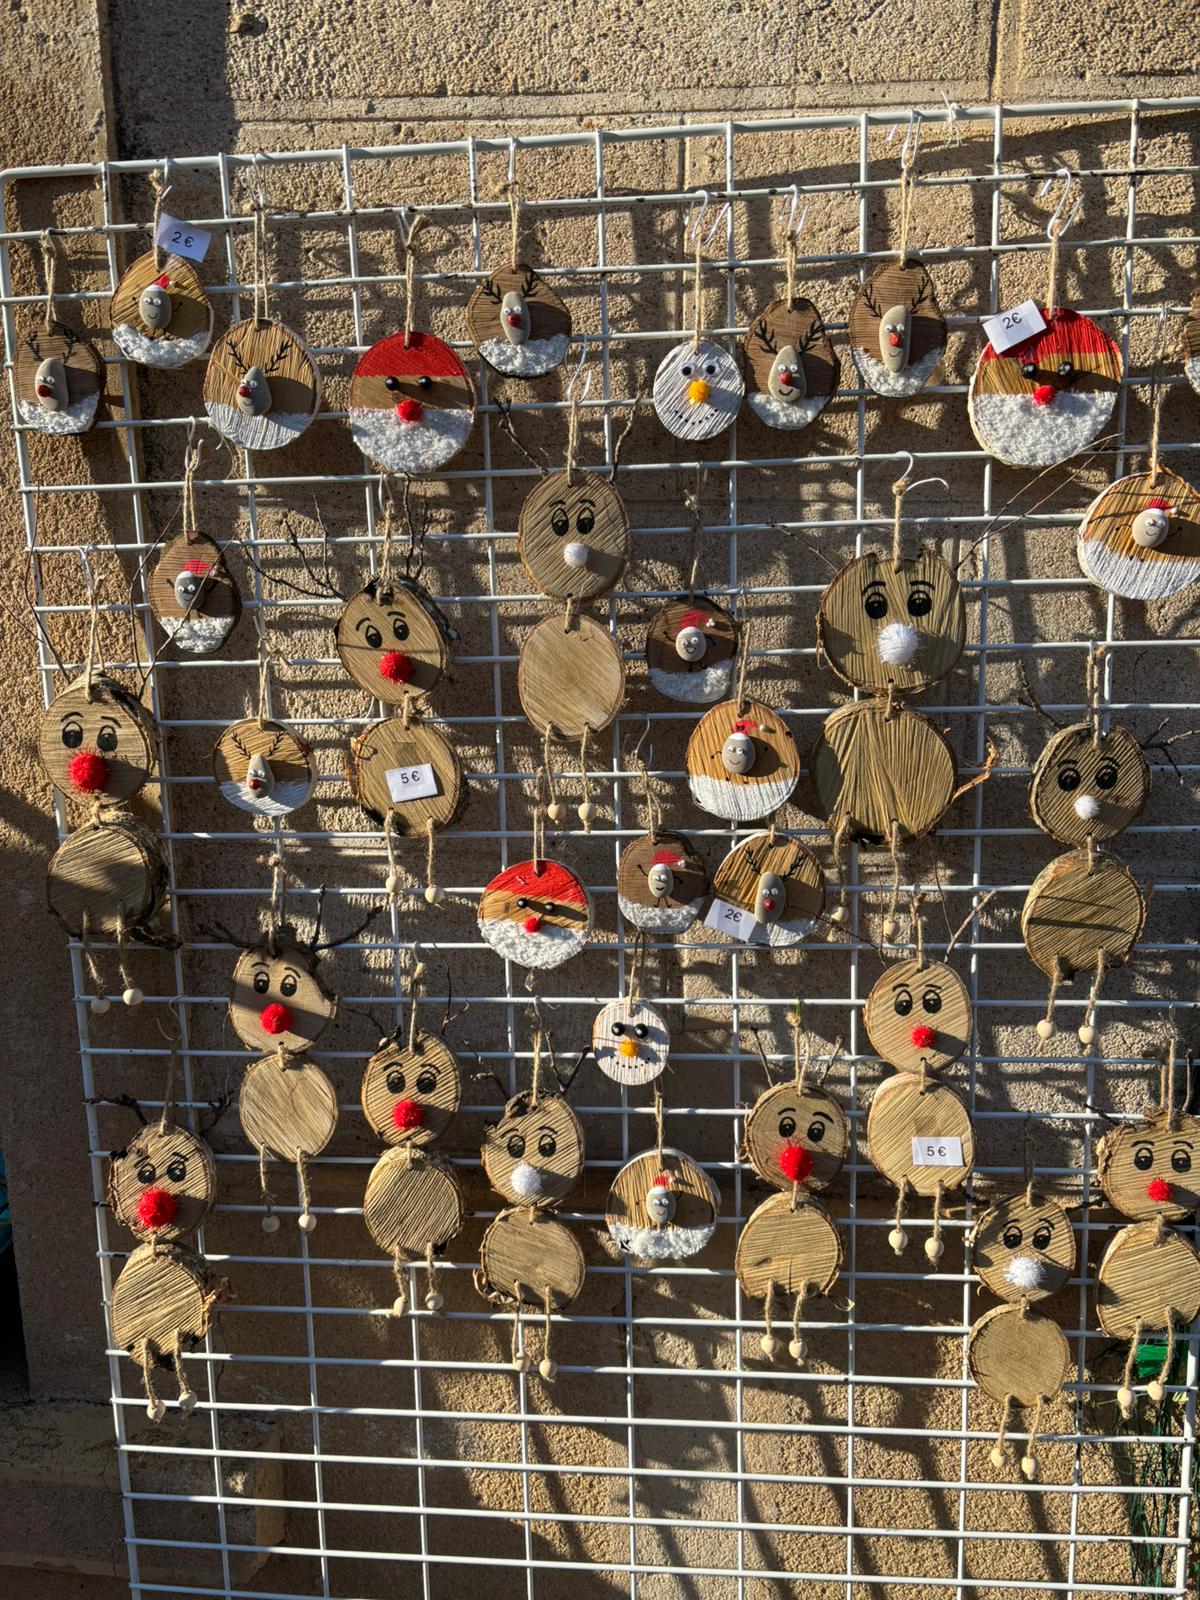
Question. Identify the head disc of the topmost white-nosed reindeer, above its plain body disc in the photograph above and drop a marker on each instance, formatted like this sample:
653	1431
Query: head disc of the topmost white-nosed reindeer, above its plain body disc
578	514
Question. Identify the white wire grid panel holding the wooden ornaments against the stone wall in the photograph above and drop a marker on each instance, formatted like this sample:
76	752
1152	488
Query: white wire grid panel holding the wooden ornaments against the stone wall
668	1457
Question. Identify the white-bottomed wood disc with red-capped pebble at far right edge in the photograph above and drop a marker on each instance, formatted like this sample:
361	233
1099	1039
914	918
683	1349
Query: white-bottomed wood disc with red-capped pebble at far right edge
1113	559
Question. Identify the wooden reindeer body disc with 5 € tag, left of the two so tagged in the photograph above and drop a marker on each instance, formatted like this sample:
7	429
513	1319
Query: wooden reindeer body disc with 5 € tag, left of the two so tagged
385	759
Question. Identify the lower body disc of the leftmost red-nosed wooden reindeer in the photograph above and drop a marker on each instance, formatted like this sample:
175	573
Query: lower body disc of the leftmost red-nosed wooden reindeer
108	870
